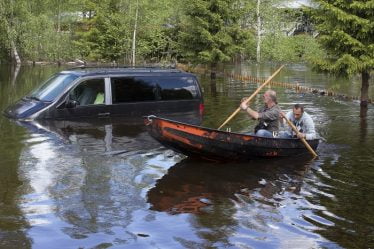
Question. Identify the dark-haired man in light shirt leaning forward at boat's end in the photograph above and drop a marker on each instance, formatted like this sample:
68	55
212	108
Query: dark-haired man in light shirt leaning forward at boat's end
302	121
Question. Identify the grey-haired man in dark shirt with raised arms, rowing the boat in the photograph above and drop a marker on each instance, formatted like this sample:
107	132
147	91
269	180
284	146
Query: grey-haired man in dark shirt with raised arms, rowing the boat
268	115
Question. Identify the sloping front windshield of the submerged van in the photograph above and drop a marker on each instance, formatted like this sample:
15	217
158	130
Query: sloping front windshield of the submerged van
53	87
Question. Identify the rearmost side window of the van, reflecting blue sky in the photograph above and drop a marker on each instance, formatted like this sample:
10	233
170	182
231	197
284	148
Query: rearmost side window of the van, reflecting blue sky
177	88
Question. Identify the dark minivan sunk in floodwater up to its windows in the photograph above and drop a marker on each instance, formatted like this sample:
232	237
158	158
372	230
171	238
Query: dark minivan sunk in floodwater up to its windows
110	92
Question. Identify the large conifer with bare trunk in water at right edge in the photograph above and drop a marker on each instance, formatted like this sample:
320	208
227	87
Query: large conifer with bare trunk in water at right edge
347	33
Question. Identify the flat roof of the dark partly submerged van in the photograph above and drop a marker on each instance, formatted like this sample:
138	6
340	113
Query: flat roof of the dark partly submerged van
154	71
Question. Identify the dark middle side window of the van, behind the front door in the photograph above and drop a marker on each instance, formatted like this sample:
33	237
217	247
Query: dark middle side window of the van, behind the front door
132	89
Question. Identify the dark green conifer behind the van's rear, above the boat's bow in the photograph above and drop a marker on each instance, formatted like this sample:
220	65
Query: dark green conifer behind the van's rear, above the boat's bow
211	31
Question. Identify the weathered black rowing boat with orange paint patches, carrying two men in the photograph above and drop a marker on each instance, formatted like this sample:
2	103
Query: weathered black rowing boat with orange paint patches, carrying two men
207	143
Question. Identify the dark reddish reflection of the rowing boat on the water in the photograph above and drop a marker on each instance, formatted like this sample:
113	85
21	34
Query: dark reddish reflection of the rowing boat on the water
195	186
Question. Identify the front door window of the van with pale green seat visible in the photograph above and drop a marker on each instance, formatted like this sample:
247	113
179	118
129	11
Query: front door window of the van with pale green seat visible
90	92
